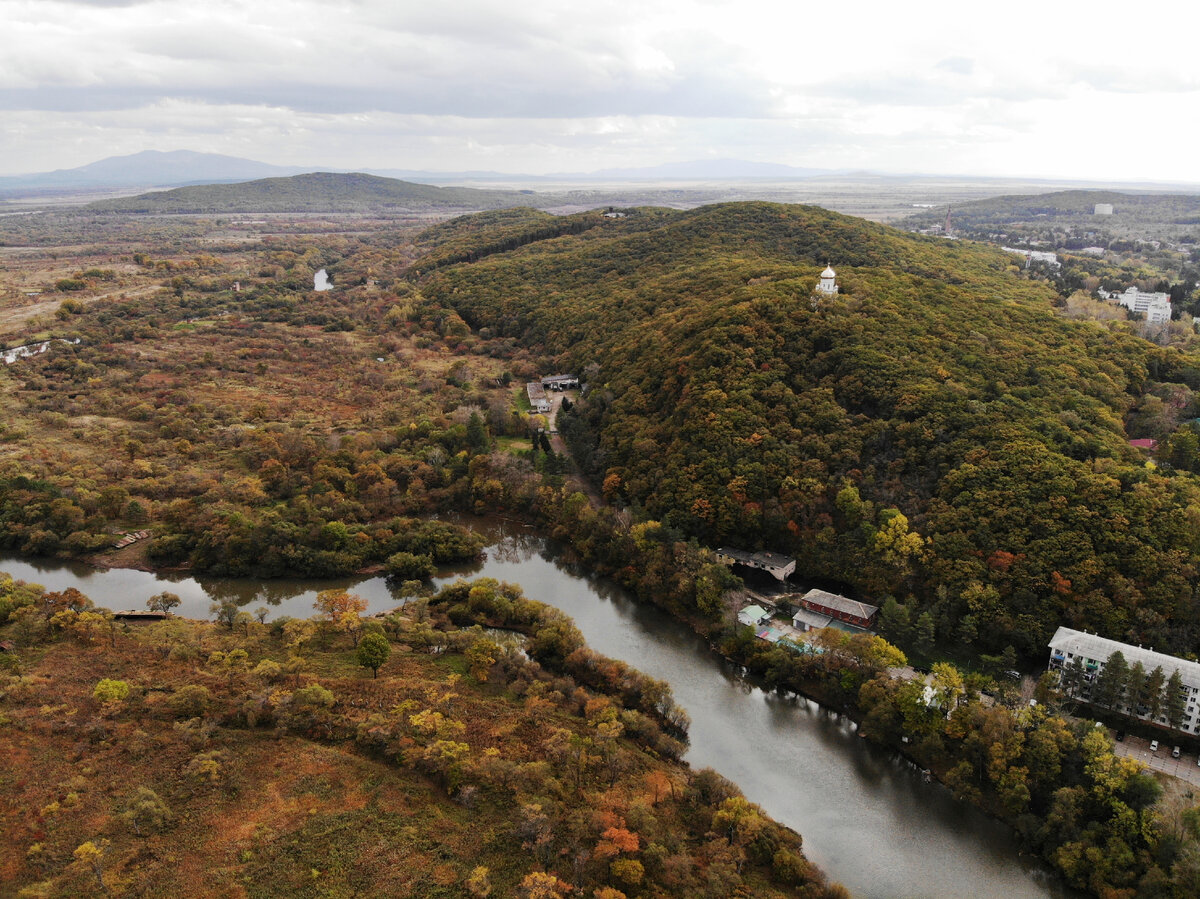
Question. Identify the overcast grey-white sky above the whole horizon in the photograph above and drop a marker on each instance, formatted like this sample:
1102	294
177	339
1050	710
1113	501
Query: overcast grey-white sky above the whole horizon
1025	89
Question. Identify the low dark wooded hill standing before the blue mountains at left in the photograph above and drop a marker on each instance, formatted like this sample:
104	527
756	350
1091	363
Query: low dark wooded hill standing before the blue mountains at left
319	193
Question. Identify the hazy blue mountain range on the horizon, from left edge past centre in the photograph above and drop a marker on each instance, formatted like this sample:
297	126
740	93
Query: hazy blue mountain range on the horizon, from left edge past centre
178	169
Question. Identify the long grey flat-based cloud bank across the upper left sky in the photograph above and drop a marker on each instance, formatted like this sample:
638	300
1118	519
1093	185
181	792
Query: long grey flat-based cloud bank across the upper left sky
482	62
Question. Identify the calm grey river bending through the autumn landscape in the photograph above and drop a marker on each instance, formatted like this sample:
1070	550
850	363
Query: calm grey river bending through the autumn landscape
868	819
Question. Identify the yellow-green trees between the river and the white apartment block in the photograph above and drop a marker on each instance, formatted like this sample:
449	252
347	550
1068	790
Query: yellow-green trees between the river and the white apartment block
1089	813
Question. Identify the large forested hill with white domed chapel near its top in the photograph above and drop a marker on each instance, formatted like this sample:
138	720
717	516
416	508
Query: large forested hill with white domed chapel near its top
935	433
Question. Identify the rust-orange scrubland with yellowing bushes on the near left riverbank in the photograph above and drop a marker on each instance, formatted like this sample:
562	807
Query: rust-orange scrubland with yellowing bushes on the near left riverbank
197	759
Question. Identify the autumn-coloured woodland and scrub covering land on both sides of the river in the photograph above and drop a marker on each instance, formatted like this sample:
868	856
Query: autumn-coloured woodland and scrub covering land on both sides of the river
945	437
